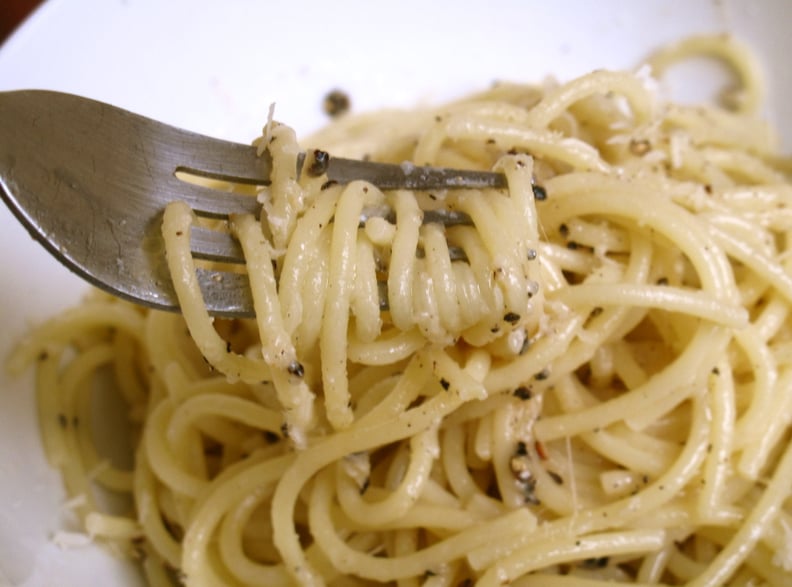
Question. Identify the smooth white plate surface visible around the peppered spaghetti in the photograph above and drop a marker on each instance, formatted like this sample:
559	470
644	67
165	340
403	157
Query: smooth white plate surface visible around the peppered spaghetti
214	67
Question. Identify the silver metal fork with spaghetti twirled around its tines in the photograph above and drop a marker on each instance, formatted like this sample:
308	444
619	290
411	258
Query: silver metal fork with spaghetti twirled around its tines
90	182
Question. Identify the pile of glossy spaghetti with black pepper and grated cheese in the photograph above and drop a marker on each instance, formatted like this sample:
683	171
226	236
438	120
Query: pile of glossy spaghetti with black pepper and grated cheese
587	381
